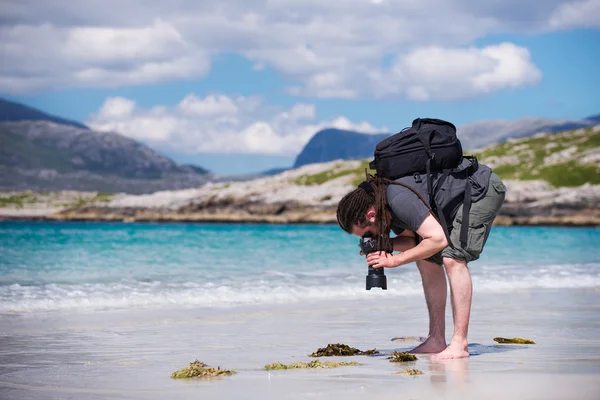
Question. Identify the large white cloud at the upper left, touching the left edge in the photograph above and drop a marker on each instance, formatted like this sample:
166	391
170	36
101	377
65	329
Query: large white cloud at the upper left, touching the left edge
41	56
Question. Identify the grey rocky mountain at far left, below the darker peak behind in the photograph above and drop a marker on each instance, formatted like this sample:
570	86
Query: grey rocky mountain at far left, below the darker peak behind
42	155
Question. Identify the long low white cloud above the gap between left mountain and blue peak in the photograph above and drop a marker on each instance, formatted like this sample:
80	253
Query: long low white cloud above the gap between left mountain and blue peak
219	124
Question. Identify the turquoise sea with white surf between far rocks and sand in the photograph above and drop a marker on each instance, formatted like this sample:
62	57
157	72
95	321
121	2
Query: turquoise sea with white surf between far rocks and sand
86	266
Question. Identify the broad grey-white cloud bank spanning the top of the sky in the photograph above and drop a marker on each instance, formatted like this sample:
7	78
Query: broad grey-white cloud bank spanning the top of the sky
328	49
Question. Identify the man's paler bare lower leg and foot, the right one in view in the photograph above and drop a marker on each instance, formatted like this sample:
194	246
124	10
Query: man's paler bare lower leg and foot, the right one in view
461	294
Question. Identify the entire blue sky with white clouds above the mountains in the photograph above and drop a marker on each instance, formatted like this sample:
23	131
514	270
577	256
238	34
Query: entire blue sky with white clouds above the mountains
248	89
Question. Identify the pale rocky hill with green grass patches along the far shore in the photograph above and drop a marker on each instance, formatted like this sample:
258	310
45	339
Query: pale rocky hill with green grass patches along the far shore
552	179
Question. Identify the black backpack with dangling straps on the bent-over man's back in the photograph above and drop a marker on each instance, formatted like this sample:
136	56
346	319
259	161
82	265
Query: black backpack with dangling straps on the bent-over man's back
428	145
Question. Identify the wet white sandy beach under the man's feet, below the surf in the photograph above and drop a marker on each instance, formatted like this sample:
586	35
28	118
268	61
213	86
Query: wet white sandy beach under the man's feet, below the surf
131	354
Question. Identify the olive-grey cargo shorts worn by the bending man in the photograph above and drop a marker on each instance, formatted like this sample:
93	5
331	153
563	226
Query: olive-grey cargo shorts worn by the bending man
481	218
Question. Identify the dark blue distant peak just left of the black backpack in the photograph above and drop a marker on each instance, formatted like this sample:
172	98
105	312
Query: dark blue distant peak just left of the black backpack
334	144
